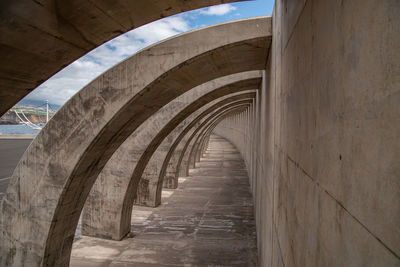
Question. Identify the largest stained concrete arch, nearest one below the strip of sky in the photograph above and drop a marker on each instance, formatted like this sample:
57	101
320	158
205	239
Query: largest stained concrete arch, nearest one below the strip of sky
64	160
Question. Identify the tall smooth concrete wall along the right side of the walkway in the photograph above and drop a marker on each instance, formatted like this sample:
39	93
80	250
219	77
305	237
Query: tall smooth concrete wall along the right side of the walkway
322	142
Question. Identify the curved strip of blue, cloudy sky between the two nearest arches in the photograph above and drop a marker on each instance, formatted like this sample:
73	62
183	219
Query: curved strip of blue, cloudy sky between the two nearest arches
63	85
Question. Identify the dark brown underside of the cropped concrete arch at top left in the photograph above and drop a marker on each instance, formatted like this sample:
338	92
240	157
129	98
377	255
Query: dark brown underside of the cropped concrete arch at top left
39	38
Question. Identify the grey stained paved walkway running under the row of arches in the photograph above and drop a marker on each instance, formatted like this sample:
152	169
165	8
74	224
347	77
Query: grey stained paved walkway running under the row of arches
207	221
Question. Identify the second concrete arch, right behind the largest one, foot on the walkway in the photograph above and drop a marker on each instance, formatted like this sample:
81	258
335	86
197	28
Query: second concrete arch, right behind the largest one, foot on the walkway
104	214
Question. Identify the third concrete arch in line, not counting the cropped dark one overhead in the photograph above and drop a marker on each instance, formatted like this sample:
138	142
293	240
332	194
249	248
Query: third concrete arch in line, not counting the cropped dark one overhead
151	183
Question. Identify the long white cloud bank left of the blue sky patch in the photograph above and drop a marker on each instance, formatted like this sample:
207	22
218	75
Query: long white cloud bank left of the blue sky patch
62	86
